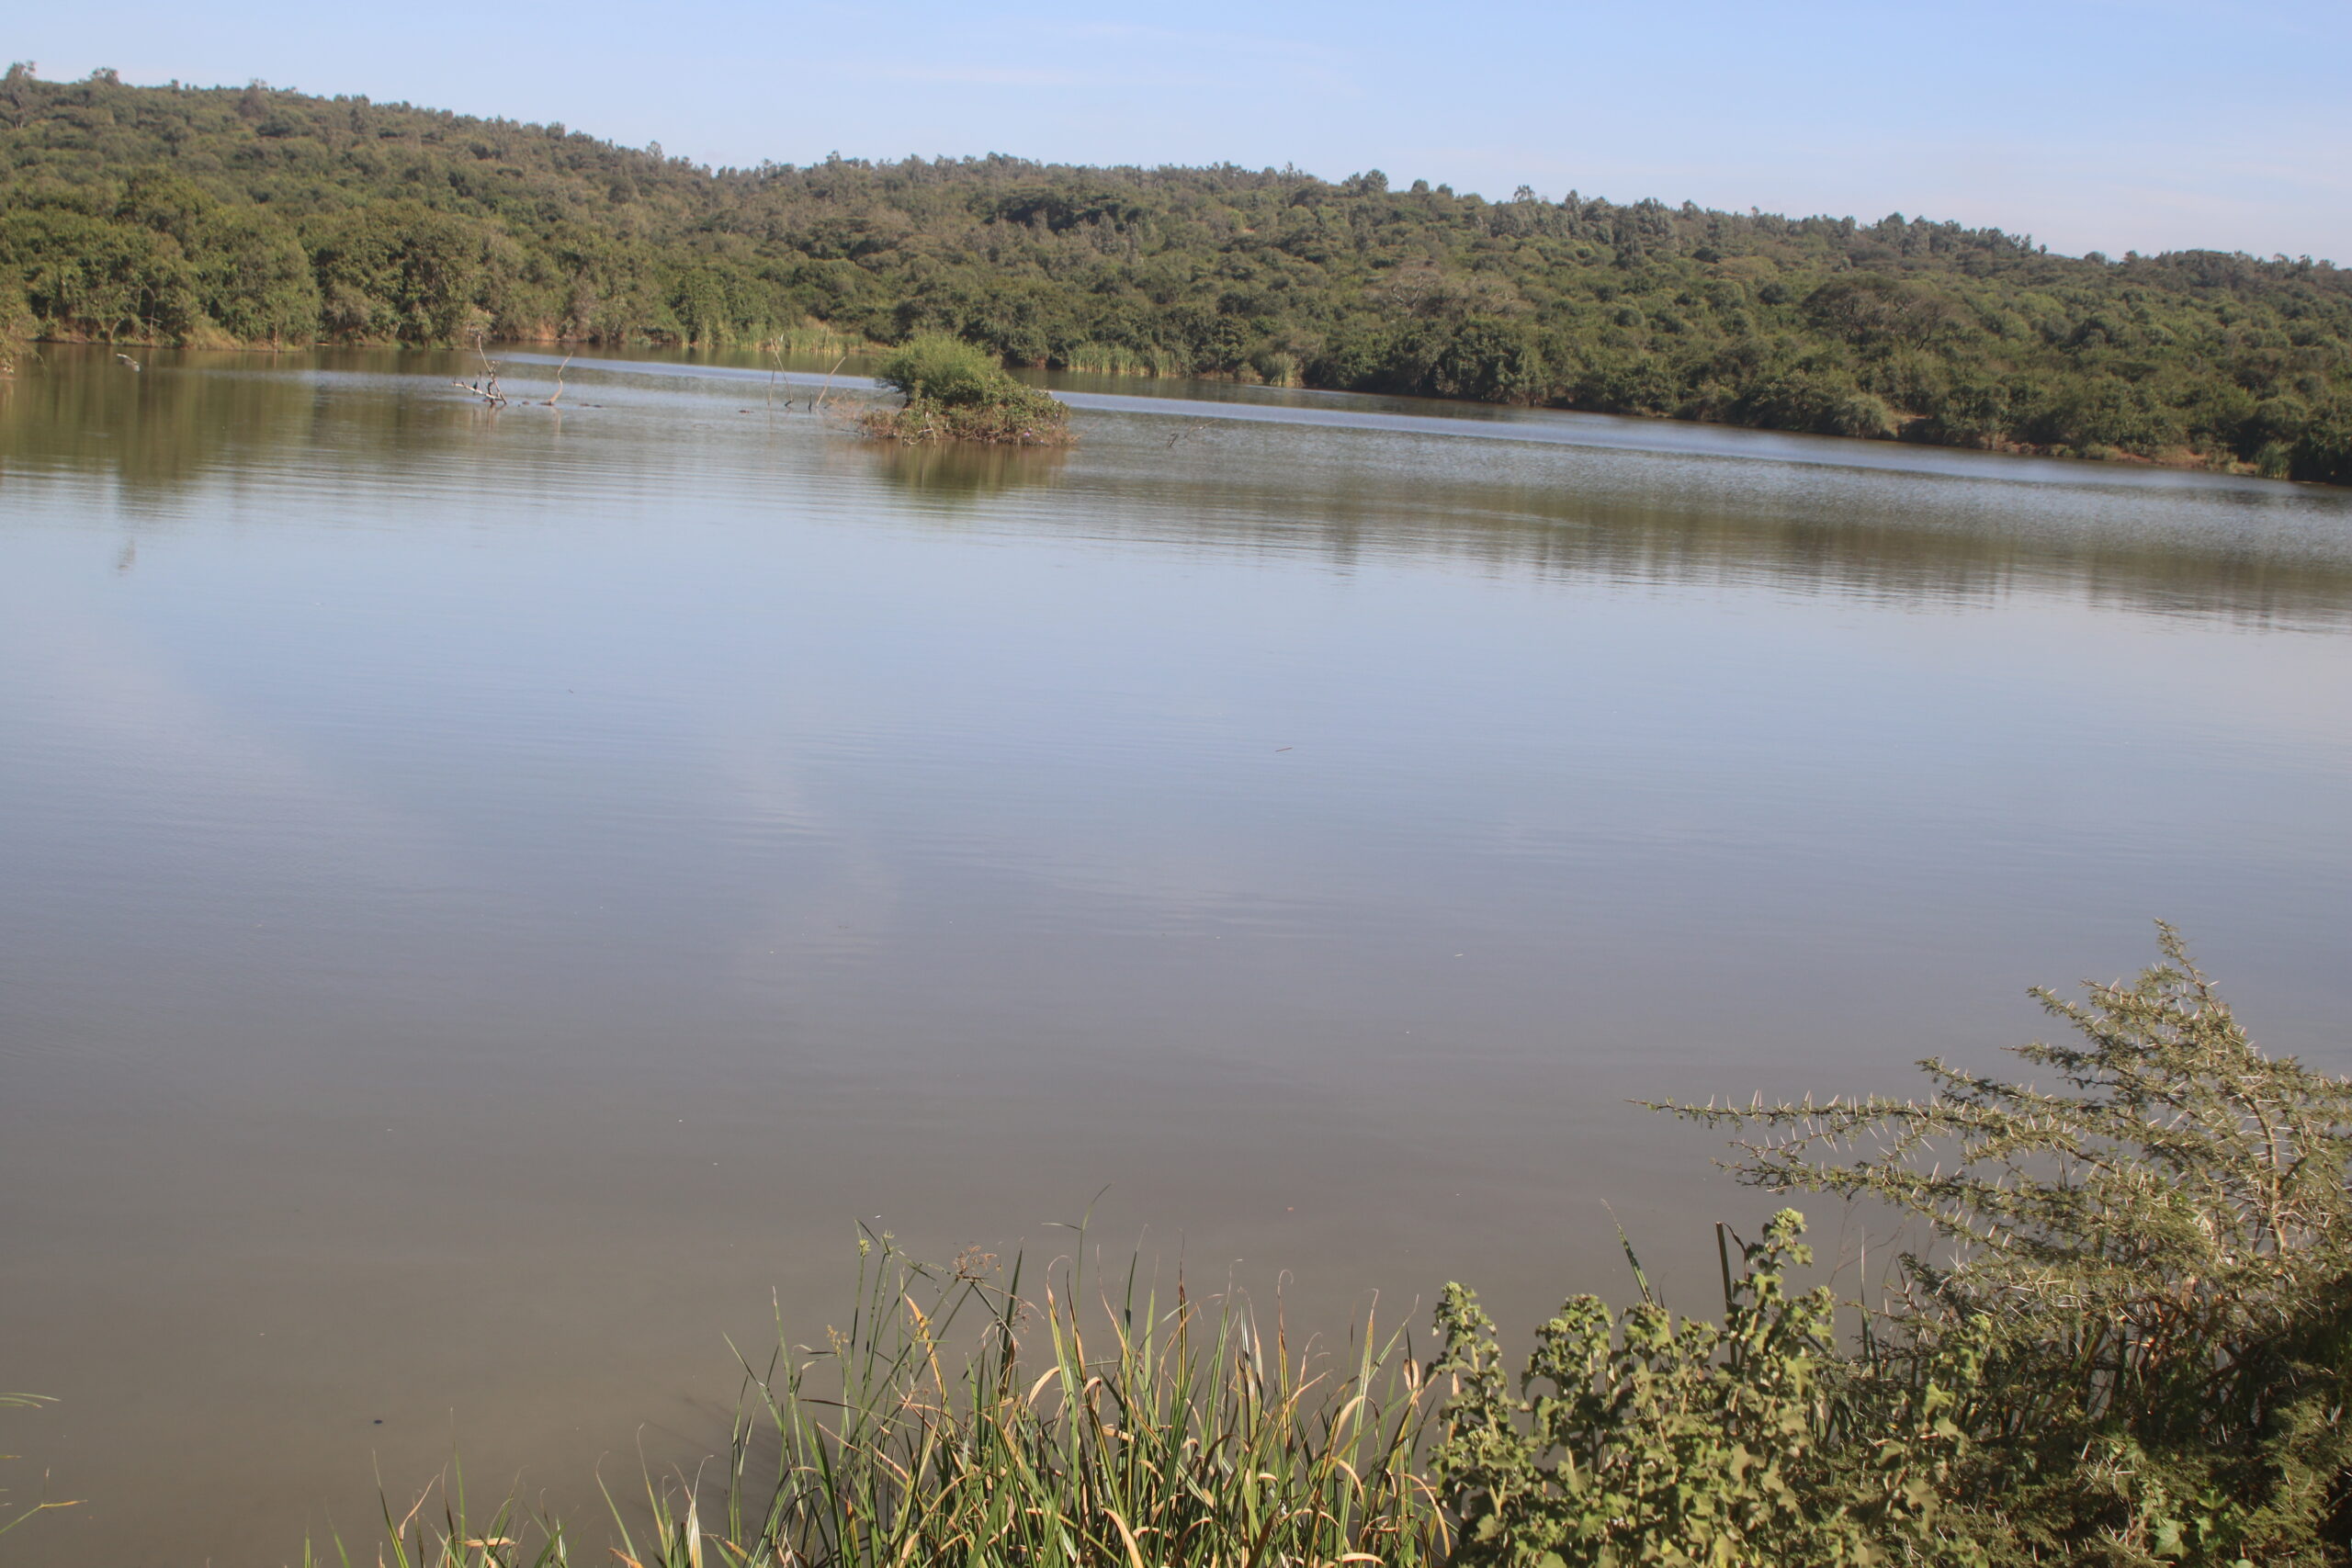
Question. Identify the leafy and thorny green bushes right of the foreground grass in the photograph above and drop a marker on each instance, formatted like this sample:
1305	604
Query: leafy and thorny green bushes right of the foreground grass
2125	1339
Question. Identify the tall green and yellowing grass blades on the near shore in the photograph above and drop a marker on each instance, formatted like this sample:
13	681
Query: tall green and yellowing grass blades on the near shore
963	1419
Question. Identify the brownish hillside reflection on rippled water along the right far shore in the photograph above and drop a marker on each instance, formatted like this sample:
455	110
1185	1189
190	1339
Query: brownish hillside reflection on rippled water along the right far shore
1904	537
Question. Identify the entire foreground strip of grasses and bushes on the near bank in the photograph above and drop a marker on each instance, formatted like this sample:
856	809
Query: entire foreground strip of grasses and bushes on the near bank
2120	1341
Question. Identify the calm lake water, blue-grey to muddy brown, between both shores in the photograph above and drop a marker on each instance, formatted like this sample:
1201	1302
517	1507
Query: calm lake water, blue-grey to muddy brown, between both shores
490	902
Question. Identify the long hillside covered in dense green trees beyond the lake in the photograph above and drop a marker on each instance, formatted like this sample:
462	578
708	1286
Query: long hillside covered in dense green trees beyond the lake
246	215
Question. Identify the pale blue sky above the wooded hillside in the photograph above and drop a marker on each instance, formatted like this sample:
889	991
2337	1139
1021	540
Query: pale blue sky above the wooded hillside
2087	123
